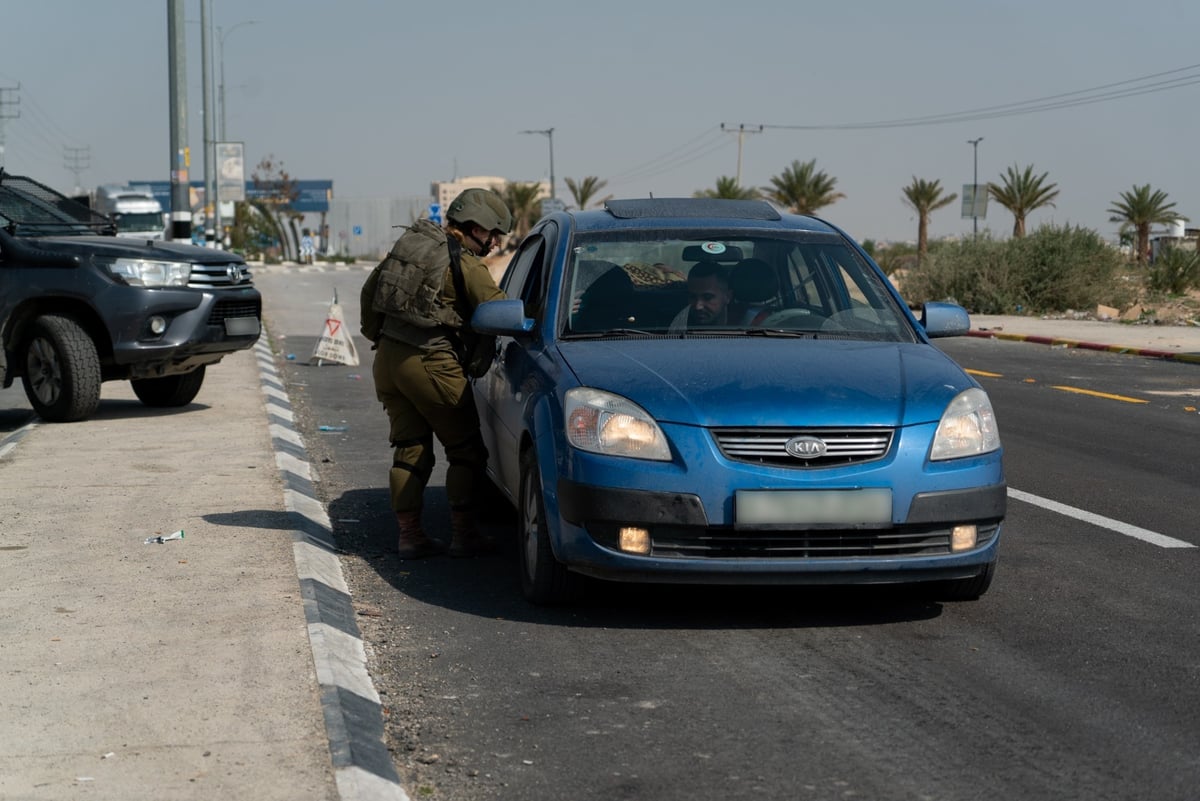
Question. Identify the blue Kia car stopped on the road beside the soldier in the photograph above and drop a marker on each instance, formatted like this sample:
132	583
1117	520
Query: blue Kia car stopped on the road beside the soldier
711	392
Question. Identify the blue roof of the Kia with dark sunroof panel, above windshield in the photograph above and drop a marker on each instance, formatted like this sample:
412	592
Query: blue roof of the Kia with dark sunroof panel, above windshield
693	213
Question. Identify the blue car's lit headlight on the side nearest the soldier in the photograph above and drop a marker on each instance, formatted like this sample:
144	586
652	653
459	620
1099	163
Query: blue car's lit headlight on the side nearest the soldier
603	423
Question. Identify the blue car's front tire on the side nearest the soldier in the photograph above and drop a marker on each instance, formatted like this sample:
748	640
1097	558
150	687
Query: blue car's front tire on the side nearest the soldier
544	580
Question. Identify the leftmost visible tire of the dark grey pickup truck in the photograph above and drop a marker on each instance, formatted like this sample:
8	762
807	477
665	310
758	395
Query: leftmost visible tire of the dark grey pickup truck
62	376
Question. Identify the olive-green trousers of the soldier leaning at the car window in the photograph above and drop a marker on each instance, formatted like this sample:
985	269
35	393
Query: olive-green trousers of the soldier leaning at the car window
427	396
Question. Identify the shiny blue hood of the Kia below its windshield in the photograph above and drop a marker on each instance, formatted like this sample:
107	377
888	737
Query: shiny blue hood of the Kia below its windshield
754	382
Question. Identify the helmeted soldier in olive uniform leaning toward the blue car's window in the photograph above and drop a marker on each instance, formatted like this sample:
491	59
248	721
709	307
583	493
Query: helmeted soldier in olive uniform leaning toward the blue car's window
417	309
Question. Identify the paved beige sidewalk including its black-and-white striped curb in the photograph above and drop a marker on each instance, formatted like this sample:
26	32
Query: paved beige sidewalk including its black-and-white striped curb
196	668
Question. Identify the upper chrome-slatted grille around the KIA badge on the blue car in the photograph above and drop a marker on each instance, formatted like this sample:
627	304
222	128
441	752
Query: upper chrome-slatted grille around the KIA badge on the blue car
769	445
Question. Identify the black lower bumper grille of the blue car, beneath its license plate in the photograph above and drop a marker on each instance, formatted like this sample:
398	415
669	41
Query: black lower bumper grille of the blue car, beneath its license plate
820	544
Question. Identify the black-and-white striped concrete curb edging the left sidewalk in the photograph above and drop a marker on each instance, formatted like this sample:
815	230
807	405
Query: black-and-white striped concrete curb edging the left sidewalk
363	767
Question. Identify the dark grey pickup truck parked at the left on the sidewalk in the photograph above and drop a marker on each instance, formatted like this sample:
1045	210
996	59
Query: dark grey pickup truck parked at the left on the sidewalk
80	306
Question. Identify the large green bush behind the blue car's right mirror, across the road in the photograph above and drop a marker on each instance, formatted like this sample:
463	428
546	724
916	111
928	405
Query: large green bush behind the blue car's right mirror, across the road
1053	270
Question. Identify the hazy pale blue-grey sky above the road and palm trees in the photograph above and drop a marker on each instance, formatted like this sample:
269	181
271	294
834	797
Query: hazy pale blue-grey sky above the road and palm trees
386	97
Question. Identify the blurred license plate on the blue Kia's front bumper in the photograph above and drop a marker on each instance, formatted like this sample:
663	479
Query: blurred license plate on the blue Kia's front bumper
814	507
